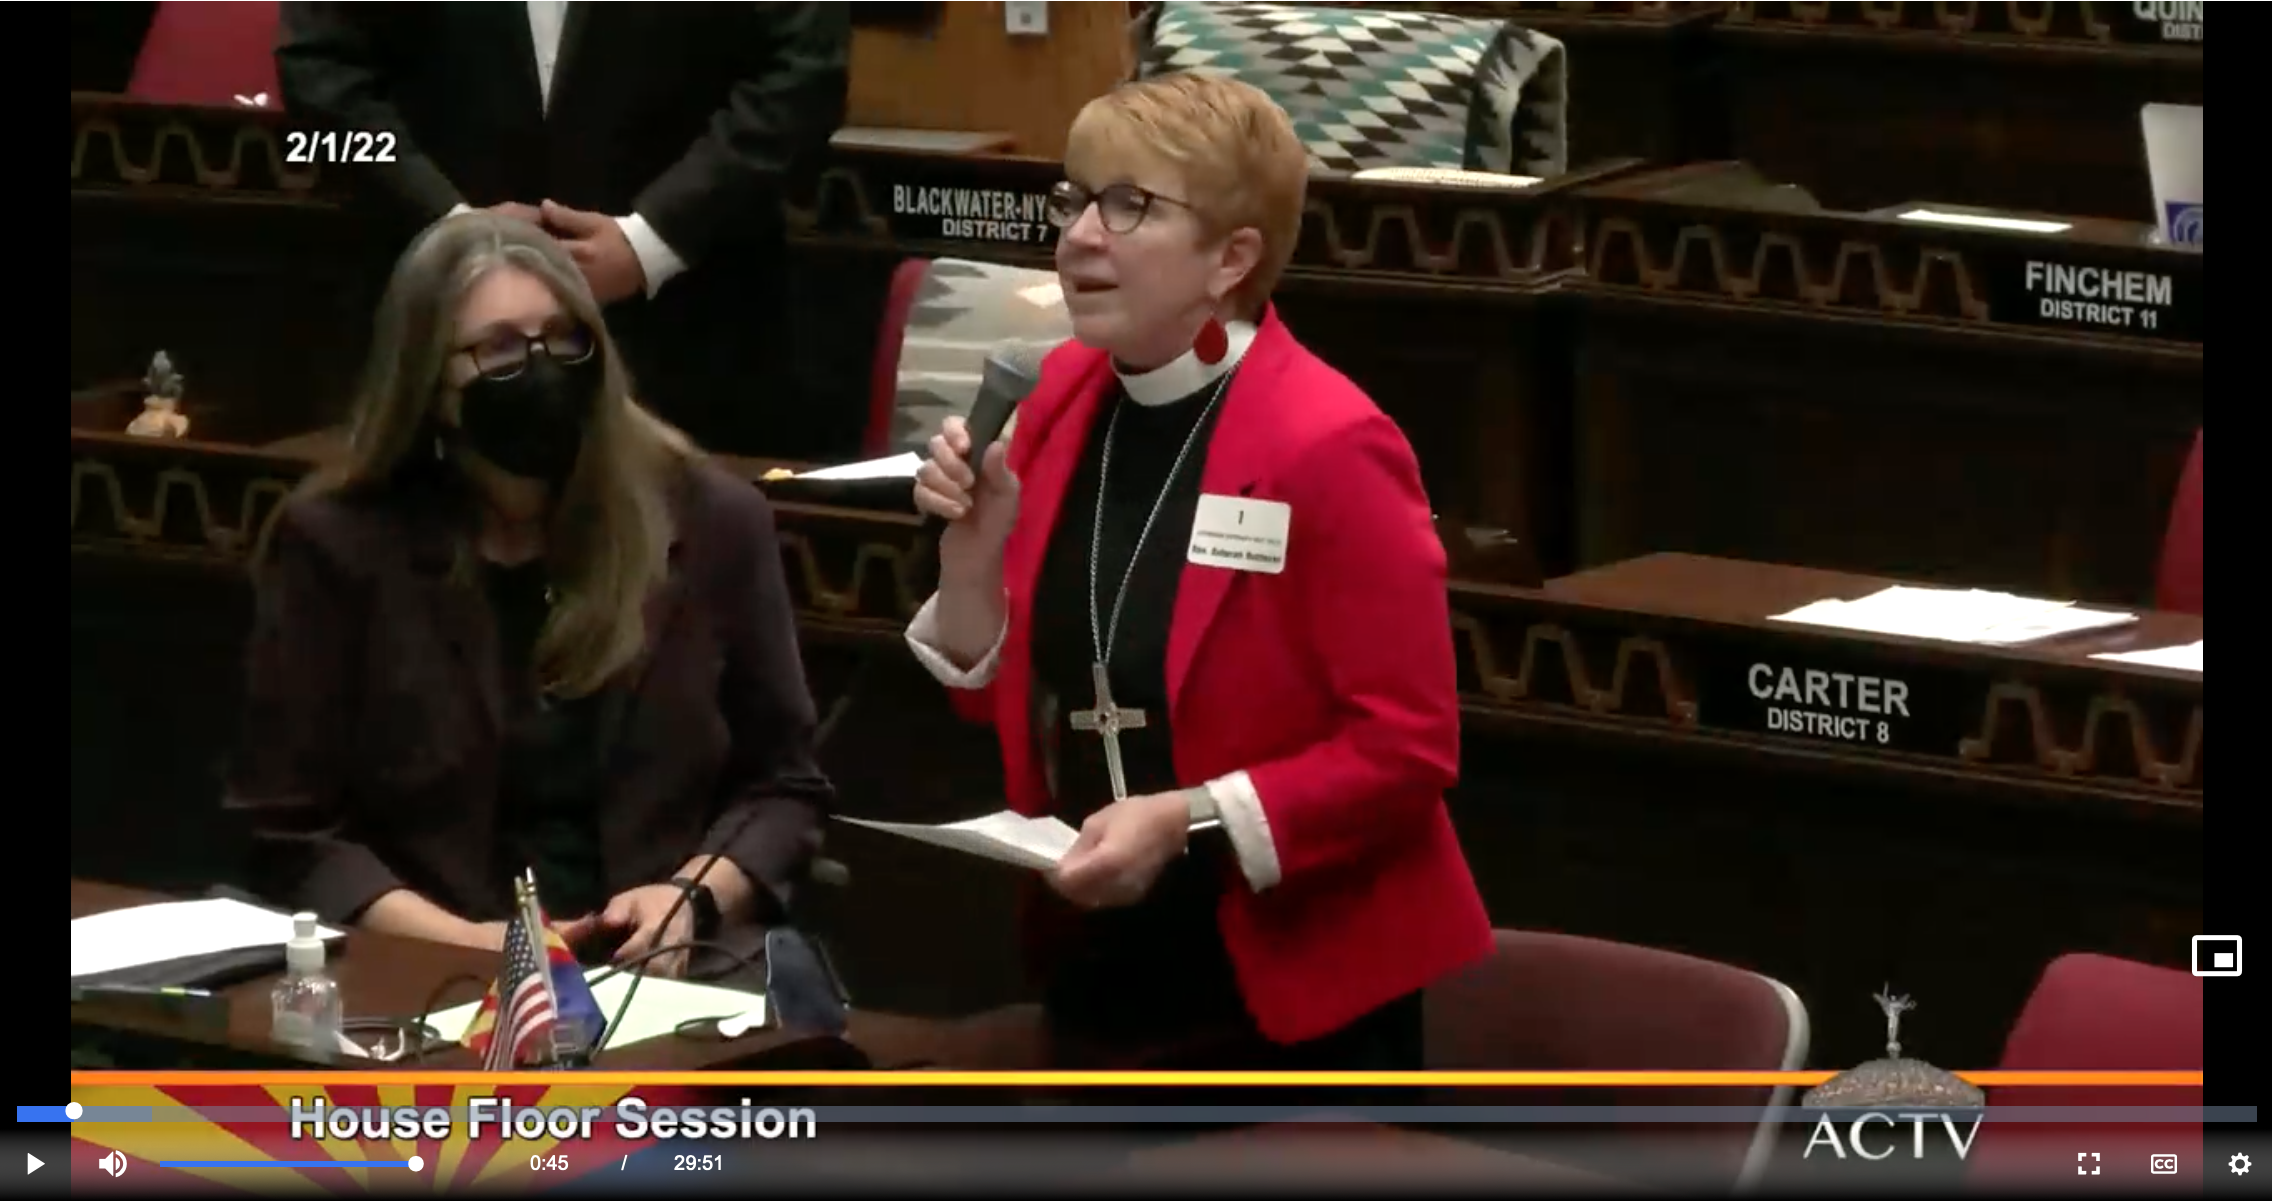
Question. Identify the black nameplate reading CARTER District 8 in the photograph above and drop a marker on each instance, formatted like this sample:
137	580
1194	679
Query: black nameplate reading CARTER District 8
1821	694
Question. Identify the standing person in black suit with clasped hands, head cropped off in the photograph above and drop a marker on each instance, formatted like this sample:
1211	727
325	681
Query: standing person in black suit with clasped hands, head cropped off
651	140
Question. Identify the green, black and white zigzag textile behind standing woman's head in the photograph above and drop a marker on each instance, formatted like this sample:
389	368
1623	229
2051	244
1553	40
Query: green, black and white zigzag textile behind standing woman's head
1383	87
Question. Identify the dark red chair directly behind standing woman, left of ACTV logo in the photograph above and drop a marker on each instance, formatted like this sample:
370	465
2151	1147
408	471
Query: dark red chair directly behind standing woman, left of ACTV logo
1569	1003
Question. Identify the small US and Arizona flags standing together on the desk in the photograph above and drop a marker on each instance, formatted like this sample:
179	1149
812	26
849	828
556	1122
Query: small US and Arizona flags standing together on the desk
540	1008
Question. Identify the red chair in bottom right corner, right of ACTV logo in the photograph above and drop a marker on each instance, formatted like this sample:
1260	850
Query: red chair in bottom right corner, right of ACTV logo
2100	1015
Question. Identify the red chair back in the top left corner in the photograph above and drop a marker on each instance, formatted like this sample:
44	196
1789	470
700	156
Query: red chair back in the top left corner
210	56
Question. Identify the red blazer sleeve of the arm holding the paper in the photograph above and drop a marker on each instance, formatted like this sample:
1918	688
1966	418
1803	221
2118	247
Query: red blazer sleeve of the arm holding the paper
1371	581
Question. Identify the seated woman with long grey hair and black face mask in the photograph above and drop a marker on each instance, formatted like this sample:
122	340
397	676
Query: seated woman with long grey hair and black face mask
521	624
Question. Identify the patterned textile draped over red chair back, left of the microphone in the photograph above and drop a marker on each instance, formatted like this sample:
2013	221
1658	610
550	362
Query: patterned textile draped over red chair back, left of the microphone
962	312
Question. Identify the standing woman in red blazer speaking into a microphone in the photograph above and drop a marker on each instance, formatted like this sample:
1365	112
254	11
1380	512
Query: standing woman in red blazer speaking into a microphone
1205	533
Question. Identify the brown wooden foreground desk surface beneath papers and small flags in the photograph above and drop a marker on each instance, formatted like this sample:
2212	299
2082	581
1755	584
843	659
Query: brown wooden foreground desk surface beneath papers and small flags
387	976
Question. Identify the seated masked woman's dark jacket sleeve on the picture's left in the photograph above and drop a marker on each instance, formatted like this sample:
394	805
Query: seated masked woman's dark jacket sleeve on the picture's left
287	778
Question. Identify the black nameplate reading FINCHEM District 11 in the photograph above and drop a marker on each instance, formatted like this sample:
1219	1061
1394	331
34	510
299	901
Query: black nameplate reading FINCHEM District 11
2071	290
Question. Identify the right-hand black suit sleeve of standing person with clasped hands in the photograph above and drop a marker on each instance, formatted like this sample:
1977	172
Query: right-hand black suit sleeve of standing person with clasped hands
776	124
